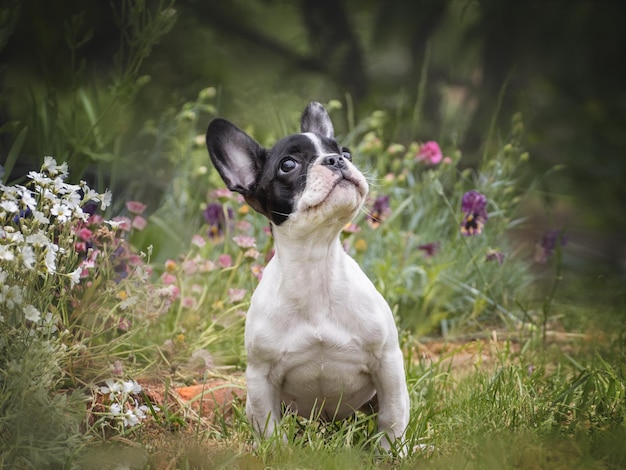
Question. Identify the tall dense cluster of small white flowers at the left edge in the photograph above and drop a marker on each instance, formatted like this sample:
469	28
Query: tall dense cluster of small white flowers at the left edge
37	239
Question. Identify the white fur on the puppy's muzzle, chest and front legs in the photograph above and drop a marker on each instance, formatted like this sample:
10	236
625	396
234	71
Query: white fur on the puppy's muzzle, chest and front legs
319	336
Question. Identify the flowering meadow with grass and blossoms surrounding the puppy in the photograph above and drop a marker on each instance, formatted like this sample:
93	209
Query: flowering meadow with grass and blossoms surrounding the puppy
122	312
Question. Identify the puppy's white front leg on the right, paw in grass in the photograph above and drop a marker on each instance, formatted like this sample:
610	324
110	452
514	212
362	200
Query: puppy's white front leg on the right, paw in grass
393	398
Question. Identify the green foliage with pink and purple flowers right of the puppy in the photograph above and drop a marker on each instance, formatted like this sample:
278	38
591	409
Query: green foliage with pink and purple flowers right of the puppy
437	276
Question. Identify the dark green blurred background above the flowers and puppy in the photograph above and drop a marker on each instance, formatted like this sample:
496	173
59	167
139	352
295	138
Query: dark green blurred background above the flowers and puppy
109	86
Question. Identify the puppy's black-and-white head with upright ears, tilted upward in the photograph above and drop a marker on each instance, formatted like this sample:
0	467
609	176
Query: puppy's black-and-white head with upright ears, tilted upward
306	179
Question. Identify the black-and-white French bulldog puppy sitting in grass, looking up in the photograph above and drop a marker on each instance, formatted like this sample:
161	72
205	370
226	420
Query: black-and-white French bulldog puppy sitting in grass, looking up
319	337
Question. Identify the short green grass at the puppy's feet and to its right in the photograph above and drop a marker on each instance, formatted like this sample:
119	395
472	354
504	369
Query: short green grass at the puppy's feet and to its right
512	405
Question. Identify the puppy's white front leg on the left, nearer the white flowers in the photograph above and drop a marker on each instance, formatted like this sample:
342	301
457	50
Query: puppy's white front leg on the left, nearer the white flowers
263	400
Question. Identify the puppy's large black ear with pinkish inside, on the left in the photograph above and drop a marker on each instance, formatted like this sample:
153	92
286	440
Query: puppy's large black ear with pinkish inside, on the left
237	157
